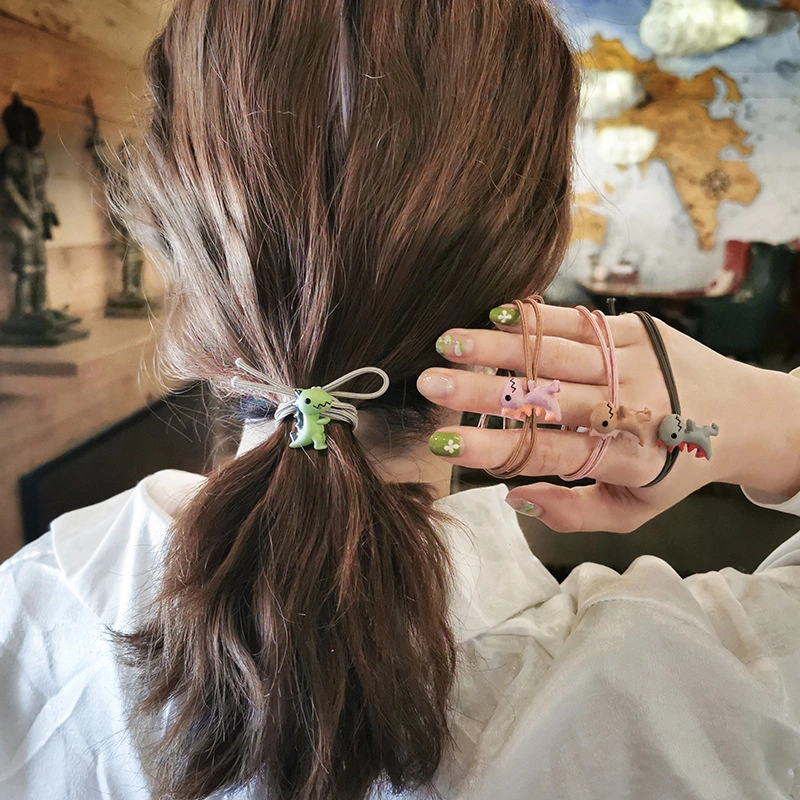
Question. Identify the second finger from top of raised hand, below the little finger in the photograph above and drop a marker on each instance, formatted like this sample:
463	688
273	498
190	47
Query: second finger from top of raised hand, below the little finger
561	358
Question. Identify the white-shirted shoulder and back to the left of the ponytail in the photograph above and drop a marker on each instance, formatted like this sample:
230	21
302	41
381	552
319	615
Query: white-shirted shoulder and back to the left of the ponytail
62	694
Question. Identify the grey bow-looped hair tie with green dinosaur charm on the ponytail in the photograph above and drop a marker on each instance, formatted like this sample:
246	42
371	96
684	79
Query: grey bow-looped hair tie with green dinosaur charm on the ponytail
313	408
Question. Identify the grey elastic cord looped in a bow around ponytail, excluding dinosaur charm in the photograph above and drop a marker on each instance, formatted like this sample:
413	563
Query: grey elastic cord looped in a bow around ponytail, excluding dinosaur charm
336	410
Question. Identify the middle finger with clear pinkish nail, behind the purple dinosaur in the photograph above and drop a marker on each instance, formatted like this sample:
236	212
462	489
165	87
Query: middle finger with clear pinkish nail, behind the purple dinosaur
482	394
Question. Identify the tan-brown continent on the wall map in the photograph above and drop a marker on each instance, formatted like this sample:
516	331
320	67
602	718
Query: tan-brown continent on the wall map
689	141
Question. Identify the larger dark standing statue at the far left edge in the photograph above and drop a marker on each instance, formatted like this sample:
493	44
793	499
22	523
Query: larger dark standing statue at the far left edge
27	219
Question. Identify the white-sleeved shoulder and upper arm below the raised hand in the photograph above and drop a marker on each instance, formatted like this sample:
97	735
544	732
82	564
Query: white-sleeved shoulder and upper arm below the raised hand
685	686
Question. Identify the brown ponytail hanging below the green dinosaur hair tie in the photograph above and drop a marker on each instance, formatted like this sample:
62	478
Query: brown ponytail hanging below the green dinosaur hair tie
301	635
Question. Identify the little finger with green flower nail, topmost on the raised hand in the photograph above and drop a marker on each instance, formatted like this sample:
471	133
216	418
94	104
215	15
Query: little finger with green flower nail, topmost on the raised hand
569	323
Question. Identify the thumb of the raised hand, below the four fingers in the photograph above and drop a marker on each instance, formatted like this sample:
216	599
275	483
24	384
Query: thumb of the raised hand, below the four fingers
599	507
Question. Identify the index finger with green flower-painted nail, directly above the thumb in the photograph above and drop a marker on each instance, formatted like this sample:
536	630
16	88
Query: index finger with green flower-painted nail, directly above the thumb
556	452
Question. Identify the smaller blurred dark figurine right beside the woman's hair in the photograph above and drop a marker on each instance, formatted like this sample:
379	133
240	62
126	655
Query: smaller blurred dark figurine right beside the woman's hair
131	301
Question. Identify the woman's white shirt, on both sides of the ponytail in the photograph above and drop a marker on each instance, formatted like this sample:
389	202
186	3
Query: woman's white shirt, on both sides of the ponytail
608	686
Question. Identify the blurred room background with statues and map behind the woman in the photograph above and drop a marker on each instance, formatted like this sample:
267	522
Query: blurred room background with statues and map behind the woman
687	205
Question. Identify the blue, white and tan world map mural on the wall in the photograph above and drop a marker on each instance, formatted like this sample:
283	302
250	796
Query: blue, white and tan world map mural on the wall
726	163
